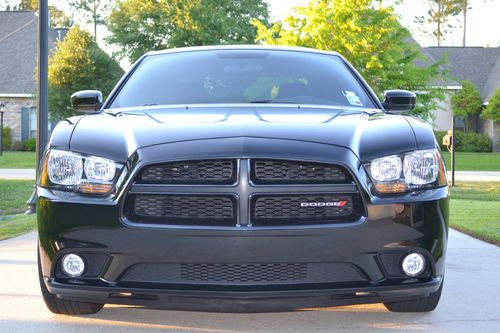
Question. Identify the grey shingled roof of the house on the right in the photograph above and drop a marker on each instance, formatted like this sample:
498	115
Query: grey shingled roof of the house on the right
480	65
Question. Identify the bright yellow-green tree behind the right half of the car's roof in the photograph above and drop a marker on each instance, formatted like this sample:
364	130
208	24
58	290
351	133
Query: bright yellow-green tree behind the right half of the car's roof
369	36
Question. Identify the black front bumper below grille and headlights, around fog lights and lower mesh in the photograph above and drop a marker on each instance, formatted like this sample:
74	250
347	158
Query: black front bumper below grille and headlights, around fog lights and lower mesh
360	245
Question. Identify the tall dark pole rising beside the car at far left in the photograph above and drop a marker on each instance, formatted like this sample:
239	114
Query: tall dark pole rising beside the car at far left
42	120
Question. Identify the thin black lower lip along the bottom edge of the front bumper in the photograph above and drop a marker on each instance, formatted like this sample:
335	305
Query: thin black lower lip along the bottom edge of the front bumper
248	301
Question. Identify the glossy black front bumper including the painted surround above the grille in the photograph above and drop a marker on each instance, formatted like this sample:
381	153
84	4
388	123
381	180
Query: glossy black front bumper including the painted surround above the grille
392	227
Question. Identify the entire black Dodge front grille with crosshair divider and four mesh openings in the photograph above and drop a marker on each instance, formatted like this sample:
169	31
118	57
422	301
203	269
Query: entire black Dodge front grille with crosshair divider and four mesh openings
245	192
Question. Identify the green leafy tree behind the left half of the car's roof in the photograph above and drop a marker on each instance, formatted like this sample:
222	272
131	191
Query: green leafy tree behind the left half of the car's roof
138	26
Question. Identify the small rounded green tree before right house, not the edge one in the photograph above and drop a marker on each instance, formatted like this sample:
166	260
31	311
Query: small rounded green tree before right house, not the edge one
467	101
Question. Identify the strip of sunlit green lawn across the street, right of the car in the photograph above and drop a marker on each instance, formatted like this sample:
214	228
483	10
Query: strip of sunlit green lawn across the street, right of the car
473	161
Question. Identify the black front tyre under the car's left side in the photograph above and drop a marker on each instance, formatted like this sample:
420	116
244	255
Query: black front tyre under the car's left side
60	306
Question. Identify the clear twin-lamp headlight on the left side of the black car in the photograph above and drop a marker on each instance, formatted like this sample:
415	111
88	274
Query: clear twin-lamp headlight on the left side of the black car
86	174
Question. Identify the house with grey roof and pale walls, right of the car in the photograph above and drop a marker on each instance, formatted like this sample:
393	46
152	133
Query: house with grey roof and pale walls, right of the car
481	66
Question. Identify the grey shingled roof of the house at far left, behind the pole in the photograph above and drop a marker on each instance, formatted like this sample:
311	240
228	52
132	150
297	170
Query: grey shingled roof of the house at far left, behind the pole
18	51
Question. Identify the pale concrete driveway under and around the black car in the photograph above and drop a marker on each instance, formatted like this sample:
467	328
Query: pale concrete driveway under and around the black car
470	303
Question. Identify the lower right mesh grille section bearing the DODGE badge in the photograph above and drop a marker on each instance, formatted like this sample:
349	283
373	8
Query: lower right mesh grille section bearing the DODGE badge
302	209
